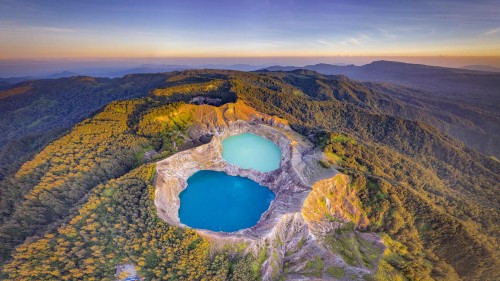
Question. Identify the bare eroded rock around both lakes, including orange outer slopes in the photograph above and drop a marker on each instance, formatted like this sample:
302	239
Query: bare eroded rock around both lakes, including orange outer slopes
308	195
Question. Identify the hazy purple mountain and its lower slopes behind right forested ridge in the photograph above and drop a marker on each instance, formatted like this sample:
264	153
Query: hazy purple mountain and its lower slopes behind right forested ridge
471	95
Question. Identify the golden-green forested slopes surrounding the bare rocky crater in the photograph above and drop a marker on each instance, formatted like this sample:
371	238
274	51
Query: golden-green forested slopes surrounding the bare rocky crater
84	202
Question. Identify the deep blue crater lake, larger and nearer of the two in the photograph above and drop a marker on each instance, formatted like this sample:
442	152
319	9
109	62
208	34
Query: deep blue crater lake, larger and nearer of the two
219	202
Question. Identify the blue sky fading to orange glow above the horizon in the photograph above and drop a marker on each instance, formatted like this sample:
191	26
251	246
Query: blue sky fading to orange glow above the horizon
118	28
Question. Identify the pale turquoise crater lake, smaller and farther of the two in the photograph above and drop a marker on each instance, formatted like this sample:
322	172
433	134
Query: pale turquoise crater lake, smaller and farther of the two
250	151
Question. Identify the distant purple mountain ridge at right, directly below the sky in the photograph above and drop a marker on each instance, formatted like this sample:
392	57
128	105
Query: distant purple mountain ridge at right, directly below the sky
442	82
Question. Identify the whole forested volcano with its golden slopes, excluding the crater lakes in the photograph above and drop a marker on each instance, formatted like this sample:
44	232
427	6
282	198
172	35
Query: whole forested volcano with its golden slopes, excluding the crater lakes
79	200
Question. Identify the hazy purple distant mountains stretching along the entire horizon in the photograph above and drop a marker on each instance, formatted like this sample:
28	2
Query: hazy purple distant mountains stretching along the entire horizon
472	95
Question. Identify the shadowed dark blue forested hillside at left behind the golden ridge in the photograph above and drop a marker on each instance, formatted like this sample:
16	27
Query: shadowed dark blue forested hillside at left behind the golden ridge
32	113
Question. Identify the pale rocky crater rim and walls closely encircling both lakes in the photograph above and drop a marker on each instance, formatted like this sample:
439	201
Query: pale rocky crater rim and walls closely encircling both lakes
289	182
